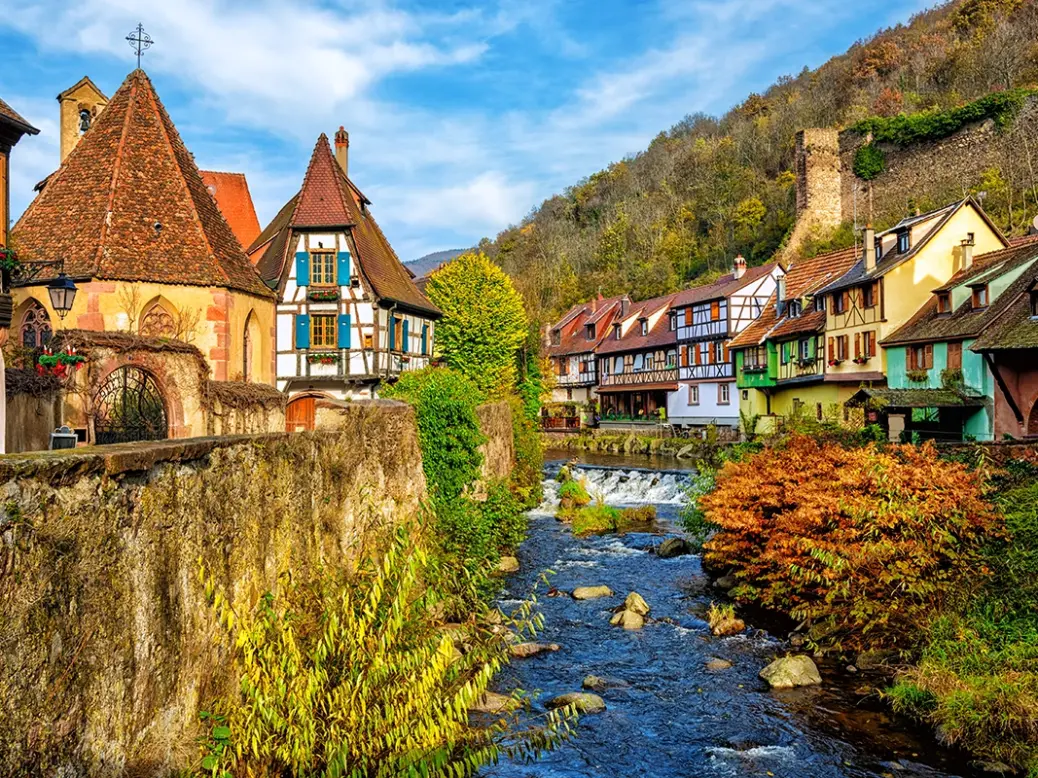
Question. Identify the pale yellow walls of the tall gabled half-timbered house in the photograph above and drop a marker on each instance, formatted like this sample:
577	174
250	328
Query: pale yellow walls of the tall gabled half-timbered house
908	288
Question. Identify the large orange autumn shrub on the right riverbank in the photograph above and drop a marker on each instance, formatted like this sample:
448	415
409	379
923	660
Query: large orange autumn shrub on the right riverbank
862	545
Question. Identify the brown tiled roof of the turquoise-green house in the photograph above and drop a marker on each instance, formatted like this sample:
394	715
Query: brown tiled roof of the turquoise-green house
928	325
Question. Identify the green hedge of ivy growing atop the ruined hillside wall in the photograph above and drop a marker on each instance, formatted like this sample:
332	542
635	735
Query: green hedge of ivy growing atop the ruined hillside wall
905	130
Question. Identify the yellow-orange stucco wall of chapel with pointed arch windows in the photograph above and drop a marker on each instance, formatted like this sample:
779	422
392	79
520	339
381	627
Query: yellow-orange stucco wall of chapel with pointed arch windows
212	319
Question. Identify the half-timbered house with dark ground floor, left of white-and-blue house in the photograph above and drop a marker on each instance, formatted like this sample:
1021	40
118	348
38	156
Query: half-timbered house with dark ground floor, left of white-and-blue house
638	365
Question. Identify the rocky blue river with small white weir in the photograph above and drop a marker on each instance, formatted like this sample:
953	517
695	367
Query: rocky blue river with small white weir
674	717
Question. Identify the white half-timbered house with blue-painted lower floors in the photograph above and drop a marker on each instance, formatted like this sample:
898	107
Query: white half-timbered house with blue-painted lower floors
708	318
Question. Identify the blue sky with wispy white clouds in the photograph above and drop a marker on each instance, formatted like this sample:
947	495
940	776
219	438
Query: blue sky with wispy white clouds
463	117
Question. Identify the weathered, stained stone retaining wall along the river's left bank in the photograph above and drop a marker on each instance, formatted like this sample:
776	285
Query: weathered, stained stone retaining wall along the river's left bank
108	648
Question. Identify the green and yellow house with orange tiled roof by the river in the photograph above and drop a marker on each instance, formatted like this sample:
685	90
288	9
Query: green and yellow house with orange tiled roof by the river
780	366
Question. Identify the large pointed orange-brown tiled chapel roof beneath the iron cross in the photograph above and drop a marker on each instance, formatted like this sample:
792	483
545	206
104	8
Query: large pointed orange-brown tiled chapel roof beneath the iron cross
129	204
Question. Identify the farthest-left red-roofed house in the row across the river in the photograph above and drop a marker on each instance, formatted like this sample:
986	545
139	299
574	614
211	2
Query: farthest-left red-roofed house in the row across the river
571	344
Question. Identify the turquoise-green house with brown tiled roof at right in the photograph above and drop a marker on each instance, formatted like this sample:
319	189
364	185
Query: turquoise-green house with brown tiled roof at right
937	386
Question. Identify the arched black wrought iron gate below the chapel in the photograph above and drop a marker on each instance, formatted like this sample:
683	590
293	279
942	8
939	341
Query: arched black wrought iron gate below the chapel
129	407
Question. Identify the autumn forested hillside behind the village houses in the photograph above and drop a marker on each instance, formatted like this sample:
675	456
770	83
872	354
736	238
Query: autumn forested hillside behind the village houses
711	188
